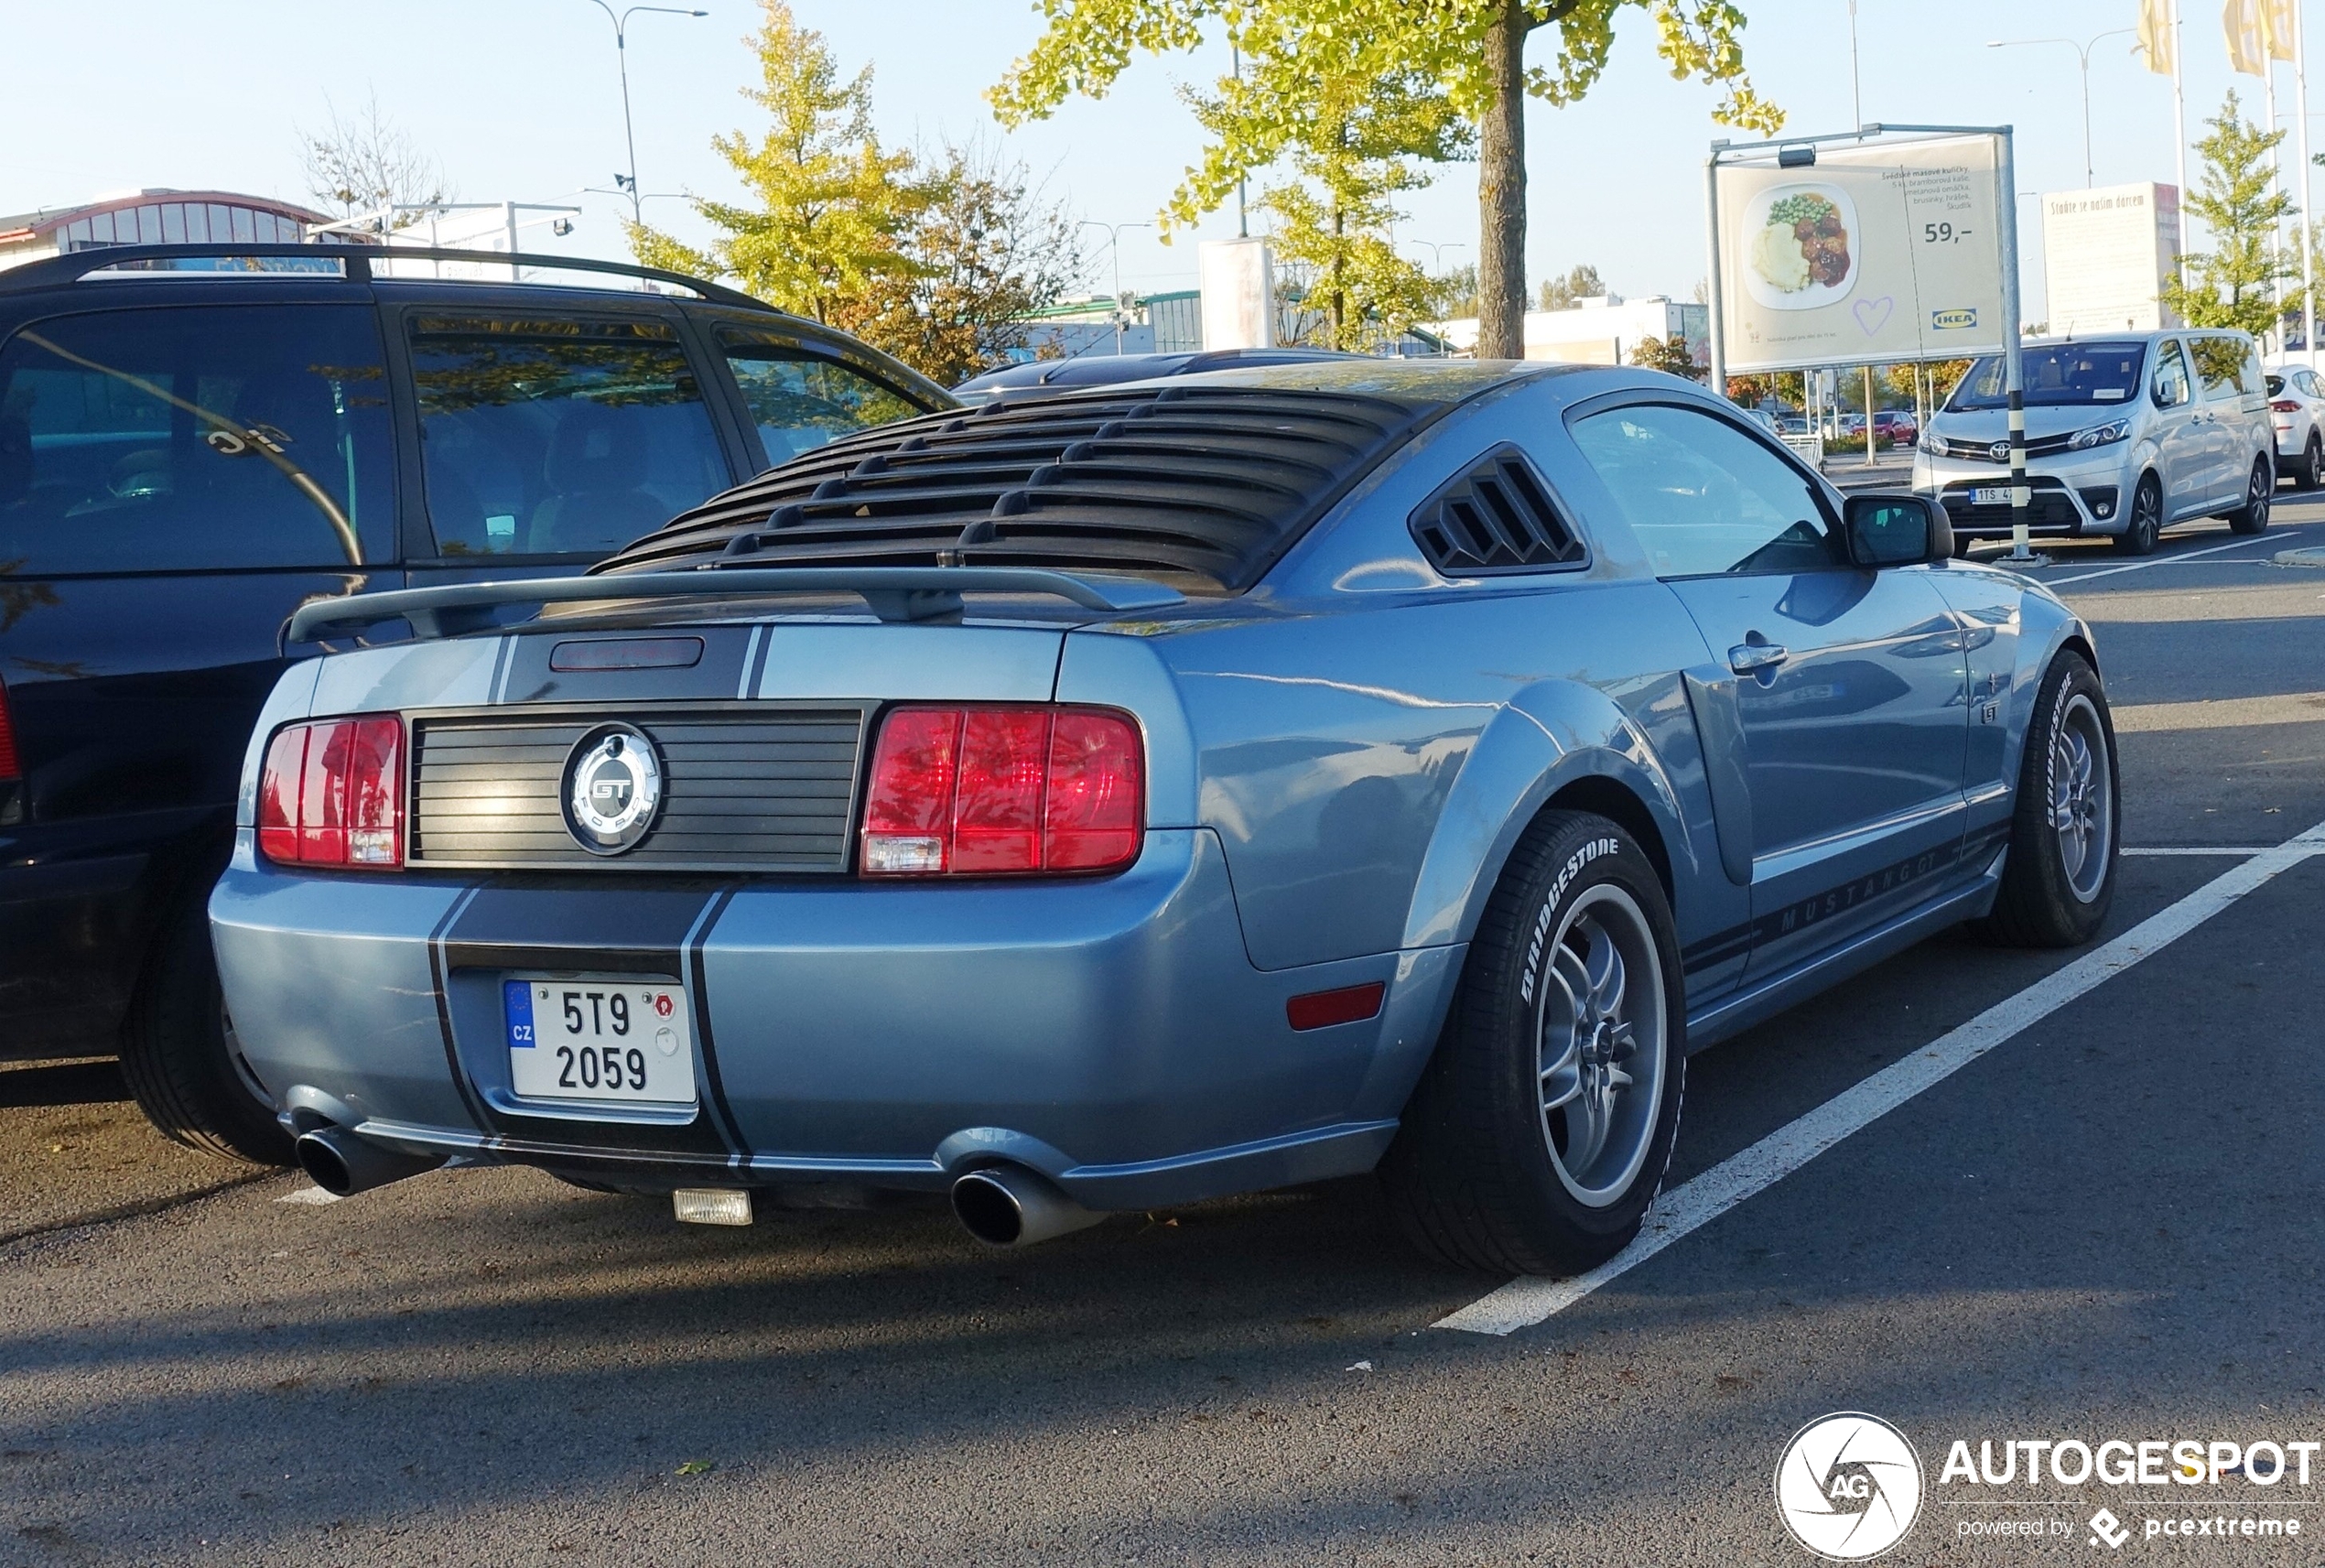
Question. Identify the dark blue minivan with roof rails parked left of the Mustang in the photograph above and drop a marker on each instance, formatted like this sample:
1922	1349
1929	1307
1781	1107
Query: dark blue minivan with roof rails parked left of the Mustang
189	455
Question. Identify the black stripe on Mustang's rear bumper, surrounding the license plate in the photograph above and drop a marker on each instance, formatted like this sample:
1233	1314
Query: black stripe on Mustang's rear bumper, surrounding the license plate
543	925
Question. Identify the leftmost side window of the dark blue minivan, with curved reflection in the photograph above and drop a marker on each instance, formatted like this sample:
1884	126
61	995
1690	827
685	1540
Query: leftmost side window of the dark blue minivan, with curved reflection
196	439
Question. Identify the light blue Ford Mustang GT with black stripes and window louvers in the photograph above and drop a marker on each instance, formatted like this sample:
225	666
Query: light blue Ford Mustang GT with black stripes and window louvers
1147	794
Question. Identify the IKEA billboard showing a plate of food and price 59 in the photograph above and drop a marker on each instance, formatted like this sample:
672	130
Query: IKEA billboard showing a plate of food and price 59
1868	255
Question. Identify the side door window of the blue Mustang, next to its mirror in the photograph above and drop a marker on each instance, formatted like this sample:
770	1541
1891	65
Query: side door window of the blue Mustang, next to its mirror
1703	497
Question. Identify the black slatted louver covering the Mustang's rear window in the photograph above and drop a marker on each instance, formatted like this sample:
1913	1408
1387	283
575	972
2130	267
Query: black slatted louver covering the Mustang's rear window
1208	483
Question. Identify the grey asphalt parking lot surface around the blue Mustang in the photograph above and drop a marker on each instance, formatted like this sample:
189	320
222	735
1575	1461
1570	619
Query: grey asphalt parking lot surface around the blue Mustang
2101	1225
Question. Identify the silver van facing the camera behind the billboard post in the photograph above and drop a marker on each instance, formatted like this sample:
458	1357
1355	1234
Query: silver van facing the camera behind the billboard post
2126	436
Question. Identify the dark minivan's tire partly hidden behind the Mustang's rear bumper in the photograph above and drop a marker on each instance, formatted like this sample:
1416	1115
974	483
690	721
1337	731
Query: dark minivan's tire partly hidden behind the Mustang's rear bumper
180	1064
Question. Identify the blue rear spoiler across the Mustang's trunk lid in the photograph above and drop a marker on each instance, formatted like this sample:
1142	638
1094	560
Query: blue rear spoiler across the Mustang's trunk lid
894	594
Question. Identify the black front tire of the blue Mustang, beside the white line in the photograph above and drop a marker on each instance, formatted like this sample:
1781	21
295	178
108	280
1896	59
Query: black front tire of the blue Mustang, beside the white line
2038	904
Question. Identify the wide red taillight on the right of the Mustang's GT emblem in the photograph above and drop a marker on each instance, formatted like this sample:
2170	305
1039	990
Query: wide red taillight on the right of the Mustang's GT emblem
1003	792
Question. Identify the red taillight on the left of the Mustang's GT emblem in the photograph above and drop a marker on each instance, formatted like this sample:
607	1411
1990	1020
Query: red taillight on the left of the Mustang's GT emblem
334	794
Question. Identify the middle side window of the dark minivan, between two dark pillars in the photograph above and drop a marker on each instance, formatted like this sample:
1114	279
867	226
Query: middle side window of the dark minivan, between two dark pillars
557	436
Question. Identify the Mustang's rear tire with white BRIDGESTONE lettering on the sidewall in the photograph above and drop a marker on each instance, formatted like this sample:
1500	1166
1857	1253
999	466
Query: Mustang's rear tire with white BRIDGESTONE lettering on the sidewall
1471	1176
